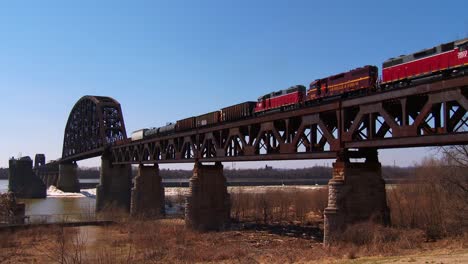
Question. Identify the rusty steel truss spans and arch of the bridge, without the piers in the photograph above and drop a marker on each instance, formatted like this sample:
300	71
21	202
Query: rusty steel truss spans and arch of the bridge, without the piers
429	114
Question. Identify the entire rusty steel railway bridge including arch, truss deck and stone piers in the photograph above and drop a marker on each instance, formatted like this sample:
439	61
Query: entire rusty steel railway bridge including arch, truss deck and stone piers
426	114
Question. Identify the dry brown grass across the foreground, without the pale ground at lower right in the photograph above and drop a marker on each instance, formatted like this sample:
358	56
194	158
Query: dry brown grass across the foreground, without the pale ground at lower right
167	241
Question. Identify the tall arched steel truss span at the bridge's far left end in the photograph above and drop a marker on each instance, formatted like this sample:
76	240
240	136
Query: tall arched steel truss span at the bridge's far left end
94	123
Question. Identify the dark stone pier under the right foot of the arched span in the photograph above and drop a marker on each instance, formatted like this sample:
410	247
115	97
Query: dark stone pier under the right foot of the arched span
114	189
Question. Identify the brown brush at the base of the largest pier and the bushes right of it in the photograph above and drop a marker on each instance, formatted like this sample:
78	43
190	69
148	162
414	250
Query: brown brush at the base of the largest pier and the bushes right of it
433	209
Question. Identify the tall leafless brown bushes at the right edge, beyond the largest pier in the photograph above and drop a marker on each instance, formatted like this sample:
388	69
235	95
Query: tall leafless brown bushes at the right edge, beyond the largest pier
437	205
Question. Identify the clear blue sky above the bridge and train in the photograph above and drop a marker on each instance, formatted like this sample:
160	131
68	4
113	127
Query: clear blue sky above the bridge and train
166	60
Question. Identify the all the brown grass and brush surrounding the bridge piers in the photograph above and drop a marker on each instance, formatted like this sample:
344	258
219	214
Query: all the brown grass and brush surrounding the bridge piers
433	210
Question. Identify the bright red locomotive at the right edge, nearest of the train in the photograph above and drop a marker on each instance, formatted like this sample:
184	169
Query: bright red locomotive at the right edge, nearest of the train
446	57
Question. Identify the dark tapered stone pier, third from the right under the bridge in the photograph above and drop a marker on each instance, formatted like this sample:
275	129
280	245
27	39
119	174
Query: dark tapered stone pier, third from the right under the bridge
148	193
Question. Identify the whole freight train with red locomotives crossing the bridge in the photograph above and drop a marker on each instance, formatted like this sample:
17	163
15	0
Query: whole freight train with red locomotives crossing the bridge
442	61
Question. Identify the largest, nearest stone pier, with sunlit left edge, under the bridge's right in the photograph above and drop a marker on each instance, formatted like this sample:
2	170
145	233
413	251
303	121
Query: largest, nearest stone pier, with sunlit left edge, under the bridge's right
356	193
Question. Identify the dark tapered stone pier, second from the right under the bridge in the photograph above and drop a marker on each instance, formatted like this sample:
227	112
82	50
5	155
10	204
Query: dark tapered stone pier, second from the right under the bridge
208	204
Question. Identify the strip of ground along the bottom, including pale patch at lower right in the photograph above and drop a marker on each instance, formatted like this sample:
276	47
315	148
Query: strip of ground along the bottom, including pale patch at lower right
167	241
